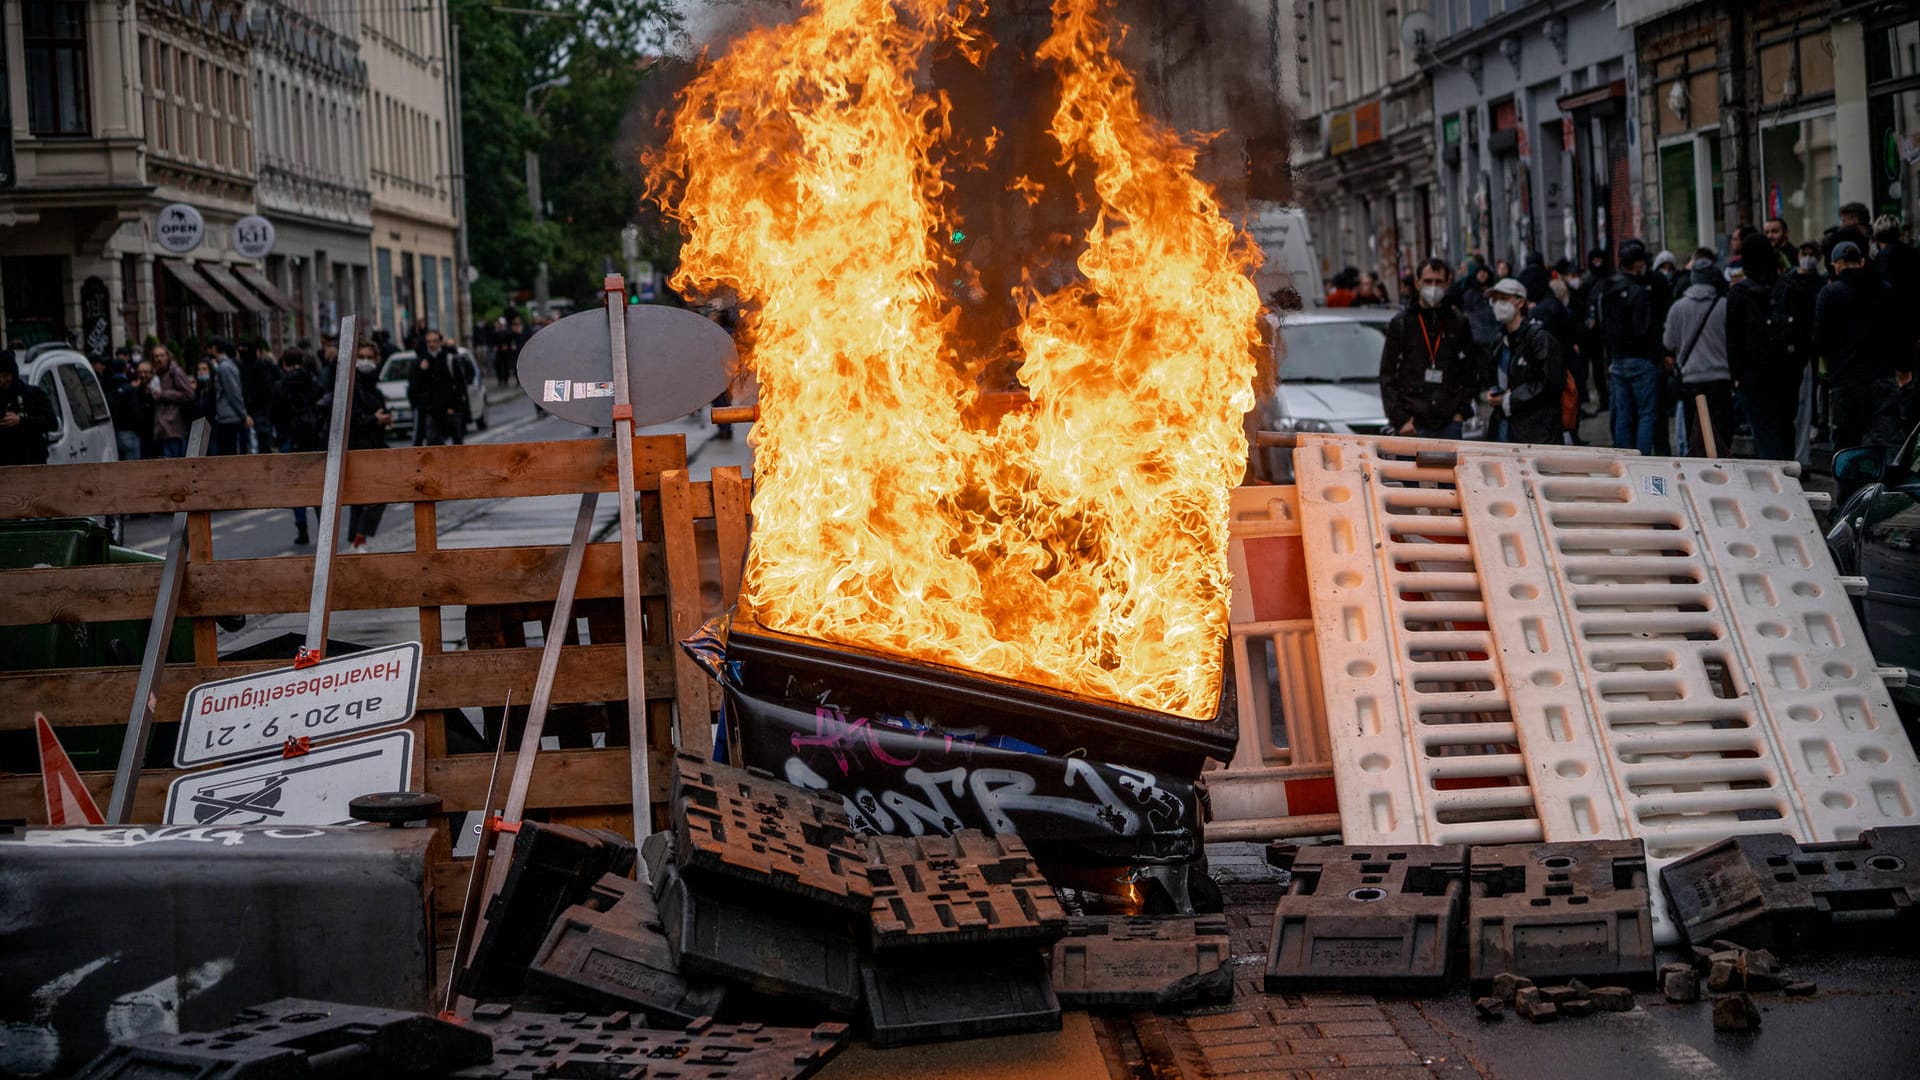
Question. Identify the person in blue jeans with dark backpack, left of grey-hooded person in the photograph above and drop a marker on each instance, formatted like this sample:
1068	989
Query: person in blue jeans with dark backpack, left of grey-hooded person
1631	322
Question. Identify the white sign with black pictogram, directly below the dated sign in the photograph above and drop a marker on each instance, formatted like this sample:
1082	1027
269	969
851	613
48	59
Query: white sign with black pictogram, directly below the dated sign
312	789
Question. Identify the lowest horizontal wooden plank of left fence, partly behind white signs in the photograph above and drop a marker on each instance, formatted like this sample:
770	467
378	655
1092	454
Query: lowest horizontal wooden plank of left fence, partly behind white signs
567	779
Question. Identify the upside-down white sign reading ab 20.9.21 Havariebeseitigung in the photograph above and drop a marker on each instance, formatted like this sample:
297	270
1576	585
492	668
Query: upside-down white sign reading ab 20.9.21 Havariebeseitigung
256	714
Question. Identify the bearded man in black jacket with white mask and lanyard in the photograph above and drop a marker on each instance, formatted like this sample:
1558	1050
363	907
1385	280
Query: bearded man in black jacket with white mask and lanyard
1428	364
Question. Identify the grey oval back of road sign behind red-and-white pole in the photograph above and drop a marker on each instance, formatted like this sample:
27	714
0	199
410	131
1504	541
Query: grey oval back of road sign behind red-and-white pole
677	362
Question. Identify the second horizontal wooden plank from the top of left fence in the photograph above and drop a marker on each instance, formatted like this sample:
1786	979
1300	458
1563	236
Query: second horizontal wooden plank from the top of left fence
264	587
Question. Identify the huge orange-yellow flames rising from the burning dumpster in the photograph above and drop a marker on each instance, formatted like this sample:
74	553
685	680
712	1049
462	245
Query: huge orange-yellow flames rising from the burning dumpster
1080	543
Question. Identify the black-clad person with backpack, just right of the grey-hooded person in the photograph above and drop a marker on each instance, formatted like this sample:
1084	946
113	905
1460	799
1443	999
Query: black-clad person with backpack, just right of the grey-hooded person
1765	366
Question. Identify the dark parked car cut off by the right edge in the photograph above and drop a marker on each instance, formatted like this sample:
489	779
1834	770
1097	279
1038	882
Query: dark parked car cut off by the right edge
1877	535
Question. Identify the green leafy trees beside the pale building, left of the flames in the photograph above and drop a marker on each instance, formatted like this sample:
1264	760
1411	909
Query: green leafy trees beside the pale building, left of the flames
602	47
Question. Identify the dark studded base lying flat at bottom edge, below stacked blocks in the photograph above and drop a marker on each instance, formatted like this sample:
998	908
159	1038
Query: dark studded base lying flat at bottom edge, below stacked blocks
540	1046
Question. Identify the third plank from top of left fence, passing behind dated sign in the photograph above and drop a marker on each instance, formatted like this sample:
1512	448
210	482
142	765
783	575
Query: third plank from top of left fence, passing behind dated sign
97	697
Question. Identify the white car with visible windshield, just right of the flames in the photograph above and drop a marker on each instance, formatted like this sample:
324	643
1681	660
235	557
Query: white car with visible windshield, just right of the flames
1330	381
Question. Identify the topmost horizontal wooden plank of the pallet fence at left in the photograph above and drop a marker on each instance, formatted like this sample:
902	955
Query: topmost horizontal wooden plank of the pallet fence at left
279	481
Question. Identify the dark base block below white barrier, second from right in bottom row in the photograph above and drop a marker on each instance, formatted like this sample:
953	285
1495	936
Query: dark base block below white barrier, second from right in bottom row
1554	912
